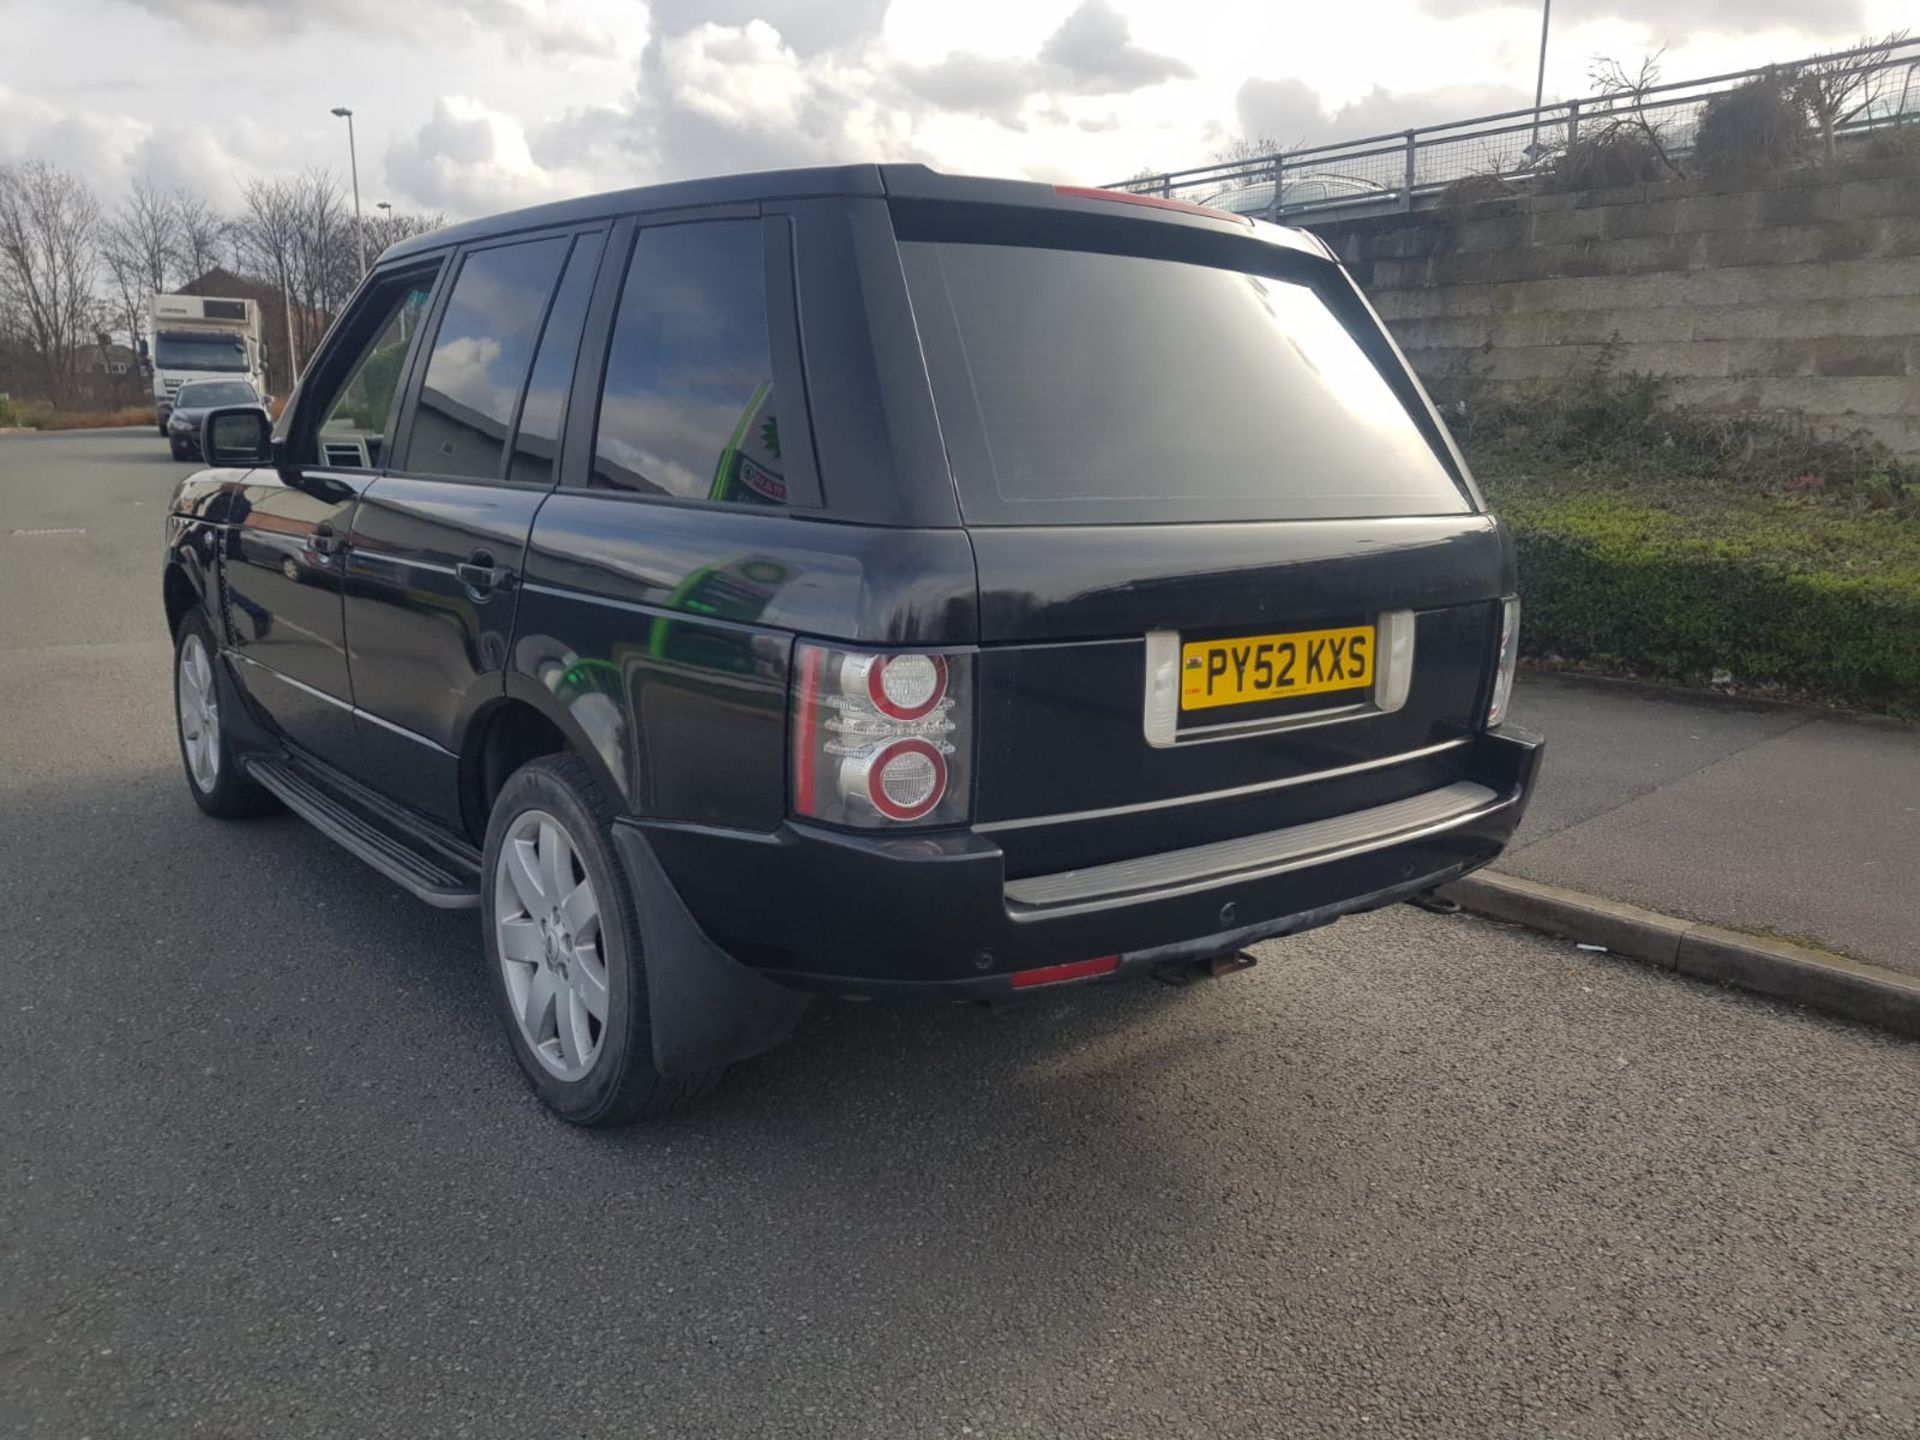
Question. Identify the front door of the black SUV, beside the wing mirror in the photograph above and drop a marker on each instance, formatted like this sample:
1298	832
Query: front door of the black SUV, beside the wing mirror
285	556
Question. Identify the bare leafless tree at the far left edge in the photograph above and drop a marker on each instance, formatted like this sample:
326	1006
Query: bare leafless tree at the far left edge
49	264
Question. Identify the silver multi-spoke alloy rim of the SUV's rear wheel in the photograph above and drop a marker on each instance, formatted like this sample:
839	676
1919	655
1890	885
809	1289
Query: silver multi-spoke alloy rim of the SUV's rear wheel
548	930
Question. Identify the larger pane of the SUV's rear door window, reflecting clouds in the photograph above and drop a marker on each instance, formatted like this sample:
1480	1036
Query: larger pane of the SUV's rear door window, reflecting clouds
481	360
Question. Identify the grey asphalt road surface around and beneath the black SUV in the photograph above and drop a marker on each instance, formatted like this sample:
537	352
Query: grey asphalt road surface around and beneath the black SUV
272	1172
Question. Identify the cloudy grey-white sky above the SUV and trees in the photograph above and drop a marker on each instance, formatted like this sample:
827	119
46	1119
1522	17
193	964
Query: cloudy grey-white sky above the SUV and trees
473	107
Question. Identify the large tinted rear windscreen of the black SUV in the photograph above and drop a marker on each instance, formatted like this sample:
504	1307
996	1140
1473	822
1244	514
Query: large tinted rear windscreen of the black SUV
1107	389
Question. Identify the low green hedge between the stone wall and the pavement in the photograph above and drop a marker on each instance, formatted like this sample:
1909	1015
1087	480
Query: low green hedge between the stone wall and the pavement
1815	602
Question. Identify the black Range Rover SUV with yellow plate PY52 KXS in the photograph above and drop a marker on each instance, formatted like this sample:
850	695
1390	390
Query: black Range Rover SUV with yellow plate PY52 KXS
852	581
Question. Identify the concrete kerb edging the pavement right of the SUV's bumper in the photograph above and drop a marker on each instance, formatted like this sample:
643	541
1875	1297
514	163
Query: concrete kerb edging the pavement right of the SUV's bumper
1754	963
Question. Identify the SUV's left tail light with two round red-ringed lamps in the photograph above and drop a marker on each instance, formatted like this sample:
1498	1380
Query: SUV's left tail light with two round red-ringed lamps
882	740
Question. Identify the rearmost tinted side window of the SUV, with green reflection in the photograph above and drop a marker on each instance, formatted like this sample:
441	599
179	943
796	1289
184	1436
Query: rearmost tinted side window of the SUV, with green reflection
688	408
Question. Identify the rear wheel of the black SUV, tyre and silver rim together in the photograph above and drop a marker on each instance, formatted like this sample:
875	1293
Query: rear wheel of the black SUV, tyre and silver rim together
564	951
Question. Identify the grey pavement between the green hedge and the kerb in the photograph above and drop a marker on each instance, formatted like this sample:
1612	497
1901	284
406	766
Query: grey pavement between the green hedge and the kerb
1767	819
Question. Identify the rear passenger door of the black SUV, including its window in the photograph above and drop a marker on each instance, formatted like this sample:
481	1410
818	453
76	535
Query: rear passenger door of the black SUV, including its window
439	540
